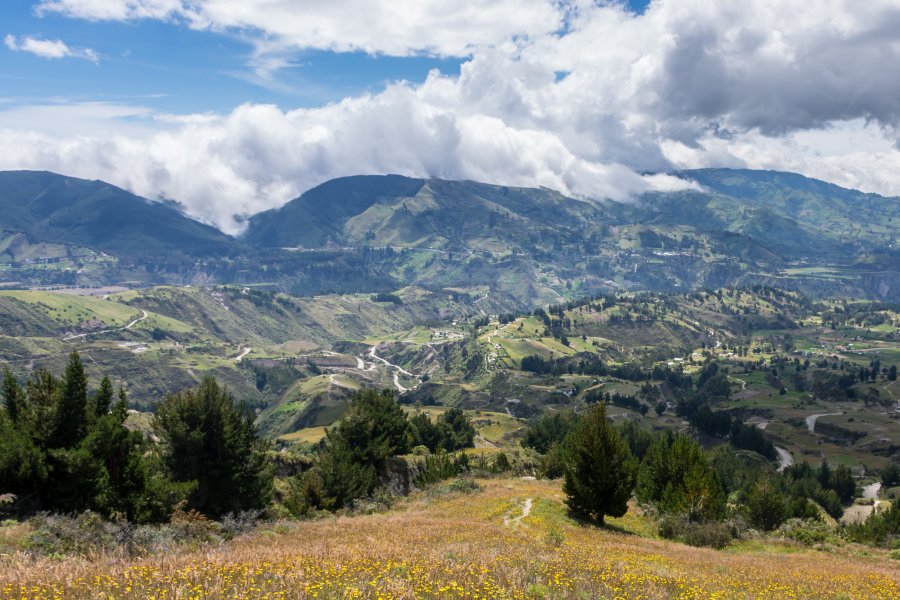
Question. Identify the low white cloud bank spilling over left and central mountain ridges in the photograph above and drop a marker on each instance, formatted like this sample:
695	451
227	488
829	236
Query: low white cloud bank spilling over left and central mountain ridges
258	156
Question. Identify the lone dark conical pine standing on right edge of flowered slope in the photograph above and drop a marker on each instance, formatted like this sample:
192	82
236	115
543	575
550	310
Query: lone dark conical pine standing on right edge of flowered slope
600	470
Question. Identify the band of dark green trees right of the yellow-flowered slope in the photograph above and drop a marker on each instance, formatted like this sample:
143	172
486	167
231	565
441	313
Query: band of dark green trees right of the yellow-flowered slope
698	496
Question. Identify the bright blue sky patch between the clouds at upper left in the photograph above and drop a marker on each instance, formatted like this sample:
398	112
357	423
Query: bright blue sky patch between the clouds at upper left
174	68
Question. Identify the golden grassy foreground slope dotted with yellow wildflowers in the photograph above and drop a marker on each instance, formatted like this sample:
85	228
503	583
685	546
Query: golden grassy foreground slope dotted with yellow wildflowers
478	545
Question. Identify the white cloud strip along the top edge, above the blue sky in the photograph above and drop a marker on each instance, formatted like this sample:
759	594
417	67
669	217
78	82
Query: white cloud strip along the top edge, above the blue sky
398	28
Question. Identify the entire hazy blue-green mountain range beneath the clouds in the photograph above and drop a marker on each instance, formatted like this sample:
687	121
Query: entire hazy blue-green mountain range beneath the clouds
377	233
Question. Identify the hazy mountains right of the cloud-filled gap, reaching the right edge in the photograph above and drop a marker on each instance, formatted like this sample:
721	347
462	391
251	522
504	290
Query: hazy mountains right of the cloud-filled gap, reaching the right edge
537	246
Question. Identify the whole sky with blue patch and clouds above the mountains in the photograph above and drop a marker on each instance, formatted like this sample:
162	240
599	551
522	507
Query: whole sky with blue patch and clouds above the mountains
232	107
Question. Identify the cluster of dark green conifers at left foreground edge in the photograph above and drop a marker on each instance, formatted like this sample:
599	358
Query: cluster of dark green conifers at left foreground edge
63	449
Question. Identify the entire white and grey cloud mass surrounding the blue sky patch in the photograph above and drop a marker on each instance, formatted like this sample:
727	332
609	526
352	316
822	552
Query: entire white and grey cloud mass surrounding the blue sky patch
582	108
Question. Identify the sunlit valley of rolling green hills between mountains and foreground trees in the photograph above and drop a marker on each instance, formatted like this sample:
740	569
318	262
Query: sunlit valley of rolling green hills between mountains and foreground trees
793	365
